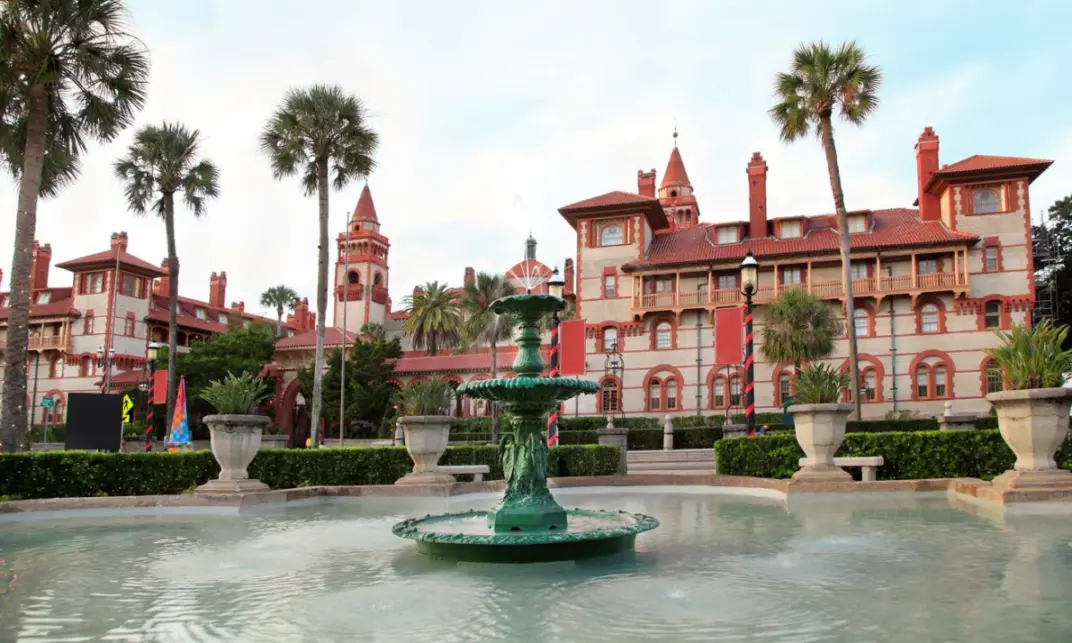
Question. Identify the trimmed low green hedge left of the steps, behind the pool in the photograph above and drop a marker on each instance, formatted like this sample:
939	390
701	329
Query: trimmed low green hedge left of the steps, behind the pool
83	474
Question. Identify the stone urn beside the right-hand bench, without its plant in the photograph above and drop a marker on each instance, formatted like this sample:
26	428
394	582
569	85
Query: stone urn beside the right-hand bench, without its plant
821	429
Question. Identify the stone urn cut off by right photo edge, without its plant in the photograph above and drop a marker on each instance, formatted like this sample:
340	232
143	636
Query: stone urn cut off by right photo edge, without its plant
1034	423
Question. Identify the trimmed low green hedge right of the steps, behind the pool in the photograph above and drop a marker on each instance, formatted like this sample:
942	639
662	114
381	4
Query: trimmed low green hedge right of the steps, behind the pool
907	456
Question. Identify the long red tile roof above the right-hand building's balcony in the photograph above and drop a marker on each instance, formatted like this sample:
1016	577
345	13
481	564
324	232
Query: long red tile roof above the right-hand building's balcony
898	228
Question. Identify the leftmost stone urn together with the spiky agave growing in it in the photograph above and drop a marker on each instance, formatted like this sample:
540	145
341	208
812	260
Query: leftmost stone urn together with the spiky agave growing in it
235	432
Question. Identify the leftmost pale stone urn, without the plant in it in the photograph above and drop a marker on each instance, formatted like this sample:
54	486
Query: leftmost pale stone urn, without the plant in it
236	440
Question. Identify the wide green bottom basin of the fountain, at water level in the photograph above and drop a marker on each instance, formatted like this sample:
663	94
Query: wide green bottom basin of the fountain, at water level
467	537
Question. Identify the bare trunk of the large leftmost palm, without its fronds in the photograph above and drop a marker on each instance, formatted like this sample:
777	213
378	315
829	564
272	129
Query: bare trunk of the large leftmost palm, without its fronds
13	425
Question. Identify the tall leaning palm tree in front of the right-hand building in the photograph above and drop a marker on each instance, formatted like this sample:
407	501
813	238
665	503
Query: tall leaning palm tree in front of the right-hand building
821	81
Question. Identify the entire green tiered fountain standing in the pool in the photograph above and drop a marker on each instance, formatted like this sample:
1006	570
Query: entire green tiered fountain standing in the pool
528	526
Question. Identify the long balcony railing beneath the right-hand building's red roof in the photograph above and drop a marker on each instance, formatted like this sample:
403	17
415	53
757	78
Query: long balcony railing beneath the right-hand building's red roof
861	288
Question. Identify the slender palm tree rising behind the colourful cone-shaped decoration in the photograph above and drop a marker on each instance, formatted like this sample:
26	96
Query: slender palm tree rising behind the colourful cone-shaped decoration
161	161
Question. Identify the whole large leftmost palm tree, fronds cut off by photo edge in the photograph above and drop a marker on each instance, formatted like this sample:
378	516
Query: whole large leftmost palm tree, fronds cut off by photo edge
68	71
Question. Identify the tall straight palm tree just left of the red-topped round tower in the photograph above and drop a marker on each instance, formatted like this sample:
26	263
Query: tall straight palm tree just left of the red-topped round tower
320	133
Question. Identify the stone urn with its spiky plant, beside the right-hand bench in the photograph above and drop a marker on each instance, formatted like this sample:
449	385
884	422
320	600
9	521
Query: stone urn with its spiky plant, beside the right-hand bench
820	421
